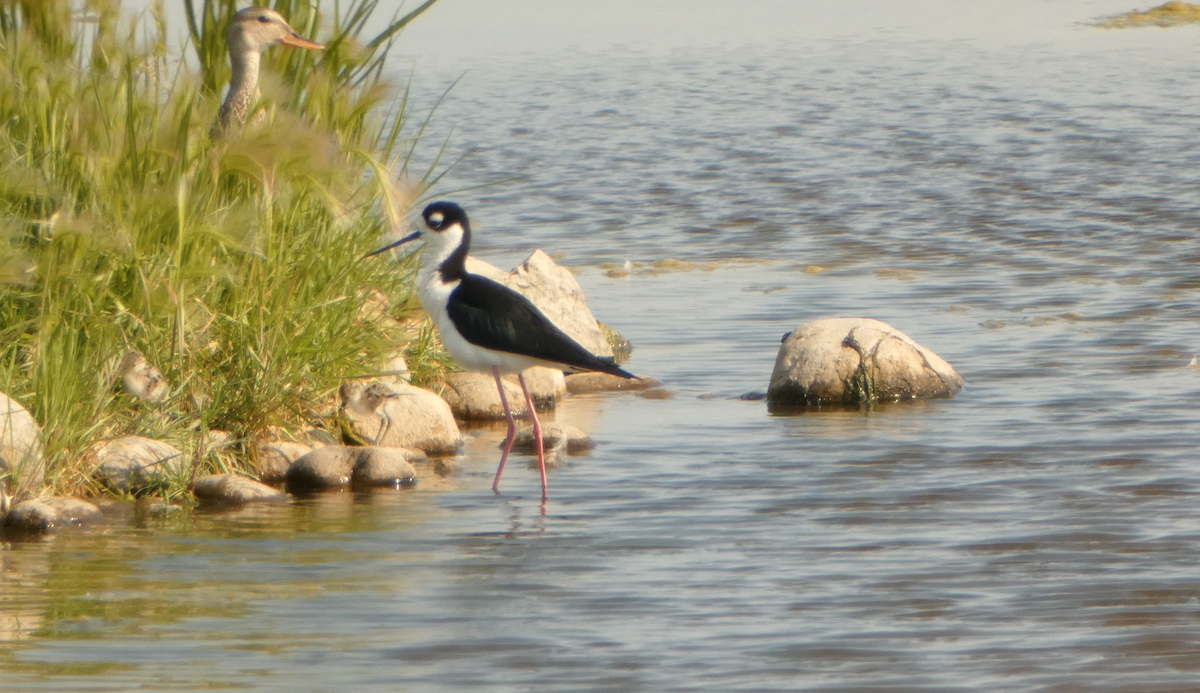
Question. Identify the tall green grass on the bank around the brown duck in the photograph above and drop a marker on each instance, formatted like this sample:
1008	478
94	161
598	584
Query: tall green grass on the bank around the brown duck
233	266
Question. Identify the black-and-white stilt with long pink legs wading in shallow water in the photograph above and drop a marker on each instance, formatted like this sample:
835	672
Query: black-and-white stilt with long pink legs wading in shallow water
487	326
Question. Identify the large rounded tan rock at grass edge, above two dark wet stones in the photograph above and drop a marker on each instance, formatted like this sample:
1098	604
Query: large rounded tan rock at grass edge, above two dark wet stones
399	415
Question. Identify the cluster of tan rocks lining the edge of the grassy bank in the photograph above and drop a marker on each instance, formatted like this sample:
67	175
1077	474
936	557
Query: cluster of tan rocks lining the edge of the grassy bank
388	424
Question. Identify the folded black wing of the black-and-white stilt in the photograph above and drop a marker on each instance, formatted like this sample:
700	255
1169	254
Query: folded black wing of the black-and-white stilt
495	317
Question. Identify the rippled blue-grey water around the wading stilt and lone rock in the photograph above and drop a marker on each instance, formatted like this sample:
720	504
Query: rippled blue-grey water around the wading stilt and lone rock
1027	210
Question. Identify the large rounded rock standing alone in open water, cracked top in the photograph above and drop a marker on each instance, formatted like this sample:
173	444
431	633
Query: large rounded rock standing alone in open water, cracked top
855	361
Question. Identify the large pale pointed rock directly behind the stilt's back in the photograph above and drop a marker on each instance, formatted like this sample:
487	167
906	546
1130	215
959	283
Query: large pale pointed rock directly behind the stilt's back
556	293
